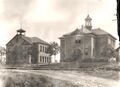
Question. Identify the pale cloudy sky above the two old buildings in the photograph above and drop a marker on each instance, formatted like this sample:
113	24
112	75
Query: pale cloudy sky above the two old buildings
50	19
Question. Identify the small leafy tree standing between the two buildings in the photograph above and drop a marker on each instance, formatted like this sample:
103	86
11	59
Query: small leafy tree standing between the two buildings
53	49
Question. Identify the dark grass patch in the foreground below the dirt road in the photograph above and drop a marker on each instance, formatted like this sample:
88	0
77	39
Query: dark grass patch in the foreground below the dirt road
17	79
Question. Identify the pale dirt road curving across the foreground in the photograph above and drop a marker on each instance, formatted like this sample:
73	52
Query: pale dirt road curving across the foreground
74	77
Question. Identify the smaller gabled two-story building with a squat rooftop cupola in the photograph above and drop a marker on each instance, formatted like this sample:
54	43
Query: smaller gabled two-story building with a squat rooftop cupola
26	50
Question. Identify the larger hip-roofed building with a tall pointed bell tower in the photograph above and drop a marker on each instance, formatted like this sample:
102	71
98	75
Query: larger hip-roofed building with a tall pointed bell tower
85	43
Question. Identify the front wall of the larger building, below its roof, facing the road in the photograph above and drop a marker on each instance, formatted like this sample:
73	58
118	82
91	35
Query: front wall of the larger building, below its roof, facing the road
69	46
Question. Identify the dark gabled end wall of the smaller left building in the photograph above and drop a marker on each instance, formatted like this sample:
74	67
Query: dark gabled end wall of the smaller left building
17	51
